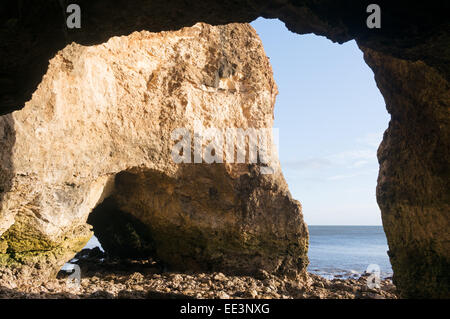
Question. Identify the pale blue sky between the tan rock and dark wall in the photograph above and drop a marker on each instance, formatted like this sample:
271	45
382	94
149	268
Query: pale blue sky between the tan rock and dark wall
331	118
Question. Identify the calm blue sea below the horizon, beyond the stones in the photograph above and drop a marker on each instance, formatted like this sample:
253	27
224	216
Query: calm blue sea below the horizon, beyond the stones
347	250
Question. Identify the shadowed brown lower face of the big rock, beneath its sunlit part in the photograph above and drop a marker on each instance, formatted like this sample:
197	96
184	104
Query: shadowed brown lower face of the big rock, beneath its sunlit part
237	225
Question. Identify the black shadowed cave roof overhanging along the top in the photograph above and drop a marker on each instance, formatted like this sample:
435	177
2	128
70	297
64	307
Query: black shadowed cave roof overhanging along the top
33	31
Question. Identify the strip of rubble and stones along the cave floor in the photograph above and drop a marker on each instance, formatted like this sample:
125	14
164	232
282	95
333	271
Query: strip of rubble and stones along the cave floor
104	278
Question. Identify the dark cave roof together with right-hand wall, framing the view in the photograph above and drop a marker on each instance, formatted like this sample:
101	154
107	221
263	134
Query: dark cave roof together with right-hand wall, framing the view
410	58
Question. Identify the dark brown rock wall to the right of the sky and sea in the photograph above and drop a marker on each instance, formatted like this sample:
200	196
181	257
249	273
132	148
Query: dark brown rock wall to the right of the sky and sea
413	183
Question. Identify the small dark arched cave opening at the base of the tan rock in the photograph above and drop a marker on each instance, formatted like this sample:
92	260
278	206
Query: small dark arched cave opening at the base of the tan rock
121	242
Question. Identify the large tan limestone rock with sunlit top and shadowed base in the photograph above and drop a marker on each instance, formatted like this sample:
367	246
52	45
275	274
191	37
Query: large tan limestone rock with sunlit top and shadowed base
96	135
